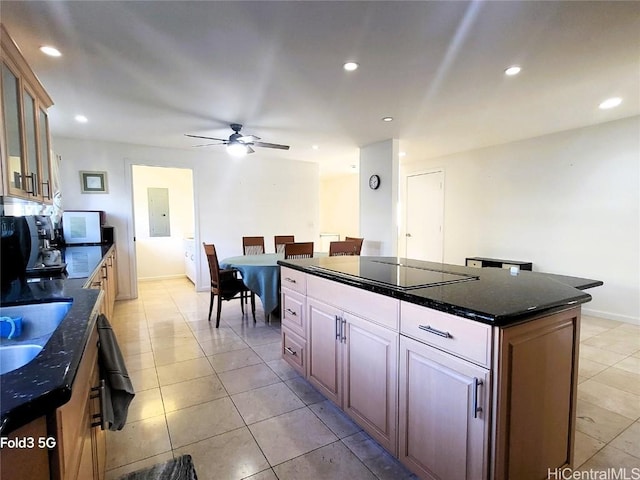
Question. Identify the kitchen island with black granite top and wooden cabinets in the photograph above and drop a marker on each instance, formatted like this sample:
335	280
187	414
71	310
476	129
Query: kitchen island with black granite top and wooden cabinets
459	372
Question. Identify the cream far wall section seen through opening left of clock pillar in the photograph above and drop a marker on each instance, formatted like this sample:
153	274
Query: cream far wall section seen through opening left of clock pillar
340	205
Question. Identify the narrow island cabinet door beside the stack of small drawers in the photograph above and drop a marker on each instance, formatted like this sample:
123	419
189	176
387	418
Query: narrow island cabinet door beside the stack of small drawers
324	349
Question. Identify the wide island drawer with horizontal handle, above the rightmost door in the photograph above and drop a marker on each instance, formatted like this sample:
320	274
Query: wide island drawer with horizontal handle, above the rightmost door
464	338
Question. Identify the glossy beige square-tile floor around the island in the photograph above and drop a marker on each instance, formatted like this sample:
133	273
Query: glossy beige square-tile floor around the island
225	397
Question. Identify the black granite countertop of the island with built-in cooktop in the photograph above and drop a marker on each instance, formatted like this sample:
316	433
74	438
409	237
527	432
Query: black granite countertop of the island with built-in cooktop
490	295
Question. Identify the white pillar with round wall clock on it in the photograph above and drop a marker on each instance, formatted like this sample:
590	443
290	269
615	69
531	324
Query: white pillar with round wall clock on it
378	208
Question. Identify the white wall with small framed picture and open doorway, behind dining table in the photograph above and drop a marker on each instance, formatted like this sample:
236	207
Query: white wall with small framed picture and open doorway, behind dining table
233	197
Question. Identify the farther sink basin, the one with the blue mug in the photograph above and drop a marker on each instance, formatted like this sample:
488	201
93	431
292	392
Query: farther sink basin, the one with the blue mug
38	319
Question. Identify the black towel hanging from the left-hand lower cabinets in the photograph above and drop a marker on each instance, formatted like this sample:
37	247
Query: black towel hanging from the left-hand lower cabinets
118	387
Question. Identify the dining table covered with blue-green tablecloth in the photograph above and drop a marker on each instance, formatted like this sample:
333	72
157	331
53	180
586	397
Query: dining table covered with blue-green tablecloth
261	274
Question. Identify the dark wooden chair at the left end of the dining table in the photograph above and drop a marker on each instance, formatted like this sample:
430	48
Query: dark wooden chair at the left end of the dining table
226	285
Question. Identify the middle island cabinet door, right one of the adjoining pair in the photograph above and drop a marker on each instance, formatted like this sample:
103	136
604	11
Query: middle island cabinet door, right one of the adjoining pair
370	361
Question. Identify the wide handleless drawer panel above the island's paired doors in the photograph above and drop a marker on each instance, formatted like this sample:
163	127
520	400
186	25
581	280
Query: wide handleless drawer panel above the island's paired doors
372	306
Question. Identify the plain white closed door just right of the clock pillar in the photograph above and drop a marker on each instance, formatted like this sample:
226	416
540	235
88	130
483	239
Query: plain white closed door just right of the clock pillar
425	216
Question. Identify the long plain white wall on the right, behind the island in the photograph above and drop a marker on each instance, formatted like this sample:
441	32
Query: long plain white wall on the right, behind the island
569	202
